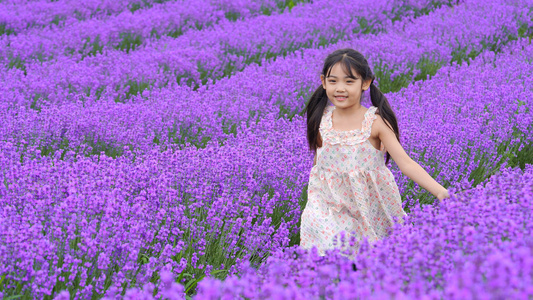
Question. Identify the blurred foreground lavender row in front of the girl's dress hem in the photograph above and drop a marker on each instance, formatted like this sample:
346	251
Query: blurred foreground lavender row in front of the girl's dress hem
473	246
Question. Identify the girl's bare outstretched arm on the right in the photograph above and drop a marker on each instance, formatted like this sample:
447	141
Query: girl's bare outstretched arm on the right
408	166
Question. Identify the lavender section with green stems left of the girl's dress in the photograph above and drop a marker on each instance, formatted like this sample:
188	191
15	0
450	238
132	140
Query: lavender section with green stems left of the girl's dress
165	215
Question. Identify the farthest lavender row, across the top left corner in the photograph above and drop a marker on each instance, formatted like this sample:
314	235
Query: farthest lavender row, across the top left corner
125	31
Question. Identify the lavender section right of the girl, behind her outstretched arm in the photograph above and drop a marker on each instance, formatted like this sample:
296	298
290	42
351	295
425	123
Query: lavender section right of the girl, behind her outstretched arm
487	106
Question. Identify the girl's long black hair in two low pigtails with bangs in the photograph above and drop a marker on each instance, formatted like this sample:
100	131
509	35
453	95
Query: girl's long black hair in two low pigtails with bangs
350	59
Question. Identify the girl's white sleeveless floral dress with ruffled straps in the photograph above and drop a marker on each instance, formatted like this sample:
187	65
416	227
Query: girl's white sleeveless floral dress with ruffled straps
350	188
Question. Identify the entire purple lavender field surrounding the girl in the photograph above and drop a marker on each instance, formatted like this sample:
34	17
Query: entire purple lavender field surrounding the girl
157	149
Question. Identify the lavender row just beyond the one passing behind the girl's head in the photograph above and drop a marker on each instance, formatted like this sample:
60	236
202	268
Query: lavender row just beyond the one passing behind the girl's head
191	59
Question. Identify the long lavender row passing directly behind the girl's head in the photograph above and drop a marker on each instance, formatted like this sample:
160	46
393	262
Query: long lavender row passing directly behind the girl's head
180	116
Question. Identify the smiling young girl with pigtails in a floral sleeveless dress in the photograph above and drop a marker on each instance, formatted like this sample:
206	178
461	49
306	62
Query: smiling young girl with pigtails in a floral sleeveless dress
350	187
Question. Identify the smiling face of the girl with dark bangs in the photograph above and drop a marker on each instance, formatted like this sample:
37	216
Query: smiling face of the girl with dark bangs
342	90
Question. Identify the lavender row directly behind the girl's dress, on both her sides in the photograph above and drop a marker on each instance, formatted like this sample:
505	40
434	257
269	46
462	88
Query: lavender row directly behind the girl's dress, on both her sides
90	226
